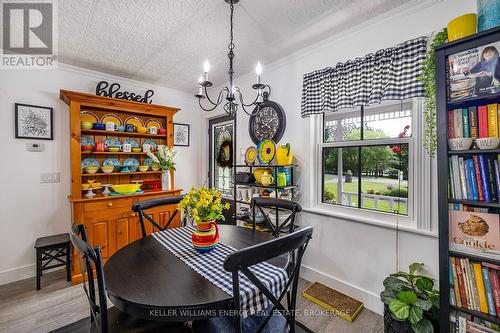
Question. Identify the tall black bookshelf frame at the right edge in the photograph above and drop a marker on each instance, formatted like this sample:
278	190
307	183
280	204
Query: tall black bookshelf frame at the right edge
446	194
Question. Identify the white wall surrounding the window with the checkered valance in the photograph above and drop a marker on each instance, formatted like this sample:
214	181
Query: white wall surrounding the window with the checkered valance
353	257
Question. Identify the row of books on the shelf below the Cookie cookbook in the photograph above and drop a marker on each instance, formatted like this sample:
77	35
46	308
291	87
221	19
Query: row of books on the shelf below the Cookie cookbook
475	285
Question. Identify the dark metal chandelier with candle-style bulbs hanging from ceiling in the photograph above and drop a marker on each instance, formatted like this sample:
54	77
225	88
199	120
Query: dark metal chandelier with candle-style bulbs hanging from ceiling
231	94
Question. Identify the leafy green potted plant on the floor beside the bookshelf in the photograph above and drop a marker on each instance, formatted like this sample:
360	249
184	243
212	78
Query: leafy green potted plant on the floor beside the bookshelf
411	302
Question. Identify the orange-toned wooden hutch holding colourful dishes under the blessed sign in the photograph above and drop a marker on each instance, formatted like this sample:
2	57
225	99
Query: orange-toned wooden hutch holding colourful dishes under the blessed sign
109	220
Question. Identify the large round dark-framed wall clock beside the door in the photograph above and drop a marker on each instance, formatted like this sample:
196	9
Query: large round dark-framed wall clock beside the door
267	122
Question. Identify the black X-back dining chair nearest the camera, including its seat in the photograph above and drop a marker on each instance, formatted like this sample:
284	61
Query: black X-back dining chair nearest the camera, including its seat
241	261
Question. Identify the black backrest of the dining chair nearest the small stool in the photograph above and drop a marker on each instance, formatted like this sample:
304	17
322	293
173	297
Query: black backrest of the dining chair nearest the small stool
91	268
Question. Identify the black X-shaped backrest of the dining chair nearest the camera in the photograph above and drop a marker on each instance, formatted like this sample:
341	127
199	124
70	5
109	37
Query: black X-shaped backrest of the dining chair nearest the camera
241	260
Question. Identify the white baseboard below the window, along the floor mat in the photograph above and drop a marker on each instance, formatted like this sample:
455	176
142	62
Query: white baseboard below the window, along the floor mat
370	300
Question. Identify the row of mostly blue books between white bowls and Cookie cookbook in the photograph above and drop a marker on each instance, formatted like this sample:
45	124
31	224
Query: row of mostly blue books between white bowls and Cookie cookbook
476	177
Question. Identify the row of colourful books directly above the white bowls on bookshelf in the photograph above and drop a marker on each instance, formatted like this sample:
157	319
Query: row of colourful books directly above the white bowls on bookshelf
474	122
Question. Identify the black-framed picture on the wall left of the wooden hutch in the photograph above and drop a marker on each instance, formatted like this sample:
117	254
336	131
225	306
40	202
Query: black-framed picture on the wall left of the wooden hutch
34	122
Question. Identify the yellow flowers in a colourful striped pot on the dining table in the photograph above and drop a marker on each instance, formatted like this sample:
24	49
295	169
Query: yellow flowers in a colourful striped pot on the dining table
204	206
